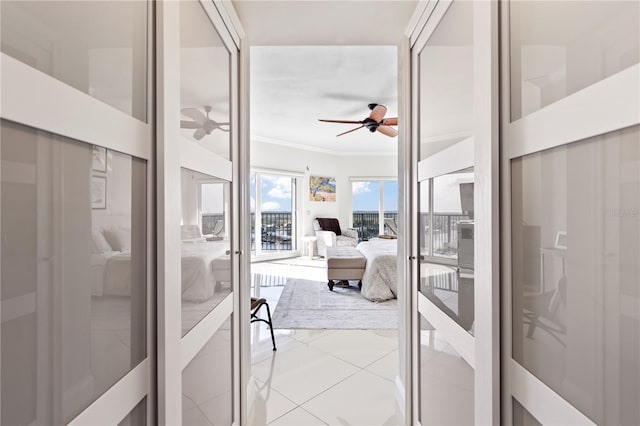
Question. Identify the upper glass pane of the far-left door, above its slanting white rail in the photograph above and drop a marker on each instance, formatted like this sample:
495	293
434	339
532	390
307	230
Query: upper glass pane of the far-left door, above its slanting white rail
75	42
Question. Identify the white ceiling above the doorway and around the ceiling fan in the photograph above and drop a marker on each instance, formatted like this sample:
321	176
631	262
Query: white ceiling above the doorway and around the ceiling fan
323	59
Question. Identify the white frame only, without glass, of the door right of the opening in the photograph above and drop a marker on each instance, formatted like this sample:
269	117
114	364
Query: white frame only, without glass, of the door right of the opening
482	351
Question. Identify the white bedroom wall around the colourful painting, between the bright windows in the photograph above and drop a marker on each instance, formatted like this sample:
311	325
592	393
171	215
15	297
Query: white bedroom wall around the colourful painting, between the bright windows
279	157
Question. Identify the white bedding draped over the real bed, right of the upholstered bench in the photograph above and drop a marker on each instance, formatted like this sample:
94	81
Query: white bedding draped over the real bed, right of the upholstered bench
380	279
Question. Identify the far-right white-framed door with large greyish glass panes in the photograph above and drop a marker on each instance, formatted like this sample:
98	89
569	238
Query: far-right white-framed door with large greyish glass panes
570	190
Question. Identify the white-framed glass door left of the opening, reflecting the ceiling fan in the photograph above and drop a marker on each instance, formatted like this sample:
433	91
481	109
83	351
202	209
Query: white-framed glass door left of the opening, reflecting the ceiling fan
200	244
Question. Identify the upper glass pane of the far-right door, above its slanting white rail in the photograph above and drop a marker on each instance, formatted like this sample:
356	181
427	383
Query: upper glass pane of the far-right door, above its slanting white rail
555	46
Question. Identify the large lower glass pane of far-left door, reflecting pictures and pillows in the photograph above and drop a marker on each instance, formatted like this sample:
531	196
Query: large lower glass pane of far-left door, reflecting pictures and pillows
74	264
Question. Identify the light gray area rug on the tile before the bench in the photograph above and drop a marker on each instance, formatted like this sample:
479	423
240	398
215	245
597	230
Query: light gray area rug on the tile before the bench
311	305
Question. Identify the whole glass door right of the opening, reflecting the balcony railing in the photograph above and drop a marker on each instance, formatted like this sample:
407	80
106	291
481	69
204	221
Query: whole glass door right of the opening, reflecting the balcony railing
454	227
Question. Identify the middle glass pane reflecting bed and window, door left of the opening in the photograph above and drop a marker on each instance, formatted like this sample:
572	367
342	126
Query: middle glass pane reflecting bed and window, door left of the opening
205	245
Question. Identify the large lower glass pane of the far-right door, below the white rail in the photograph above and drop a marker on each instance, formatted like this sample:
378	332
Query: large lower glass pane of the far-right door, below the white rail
575	274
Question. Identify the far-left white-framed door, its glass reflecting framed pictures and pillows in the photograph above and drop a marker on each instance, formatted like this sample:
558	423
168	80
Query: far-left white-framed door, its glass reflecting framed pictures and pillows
77	228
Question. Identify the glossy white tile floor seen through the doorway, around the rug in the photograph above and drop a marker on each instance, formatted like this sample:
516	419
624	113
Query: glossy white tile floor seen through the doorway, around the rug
320	377
